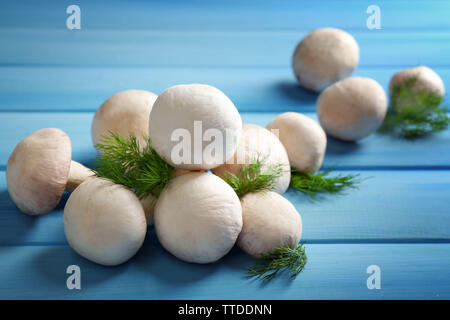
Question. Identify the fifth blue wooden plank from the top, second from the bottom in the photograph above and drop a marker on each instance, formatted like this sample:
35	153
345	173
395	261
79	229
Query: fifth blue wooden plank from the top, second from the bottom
390	206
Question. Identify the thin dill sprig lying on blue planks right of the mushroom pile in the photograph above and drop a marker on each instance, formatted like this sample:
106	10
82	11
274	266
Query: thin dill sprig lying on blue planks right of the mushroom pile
313	183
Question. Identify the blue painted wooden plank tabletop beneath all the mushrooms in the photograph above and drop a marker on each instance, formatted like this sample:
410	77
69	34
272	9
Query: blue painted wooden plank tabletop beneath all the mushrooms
398	219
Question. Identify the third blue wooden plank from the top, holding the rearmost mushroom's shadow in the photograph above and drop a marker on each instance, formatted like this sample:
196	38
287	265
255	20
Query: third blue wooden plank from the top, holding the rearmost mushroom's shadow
85	89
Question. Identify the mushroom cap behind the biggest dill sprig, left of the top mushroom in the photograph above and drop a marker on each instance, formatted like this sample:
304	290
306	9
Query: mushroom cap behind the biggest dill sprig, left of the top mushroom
125	112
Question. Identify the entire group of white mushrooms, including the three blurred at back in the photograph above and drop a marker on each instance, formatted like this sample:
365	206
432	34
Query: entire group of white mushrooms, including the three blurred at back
196	128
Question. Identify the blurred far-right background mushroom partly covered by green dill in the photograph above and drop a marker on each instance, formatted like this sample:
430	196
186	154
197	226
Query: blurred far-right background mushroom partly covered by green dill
425	80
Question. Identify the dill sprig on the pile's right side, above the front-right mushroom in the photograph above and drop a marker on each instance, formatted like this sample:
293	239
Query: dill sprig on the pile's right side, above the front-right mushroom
254	177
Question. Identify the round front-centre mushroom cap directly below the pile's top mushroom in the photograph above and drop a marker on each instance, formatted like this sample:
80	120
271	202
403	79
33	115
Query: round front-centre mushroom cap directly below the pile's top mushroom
198	217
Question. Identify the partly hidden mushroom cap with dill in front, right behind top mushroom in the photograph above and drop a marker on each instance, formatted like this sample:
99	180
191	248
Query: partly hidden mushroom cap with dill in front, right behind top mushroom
256	142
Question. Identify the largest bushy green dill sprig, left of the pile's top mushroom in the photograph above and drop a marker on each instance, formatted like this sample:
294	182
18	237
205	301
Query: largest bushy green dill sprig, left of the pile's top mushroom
124	161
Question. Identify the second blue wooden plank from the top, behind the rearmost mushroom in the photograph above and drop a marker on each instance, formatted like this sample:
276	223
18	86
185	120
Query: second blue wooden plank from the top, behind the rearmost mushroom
207	48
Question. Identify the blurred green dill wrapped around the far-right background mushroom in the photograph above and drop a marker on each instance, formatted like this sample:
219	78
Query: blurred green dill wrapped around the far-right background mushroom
414	113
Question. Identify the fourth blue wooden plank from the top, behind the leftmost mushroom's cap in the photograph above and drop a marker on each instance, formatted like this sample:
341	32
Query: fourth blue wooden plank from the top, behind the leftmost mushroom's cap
376	151
